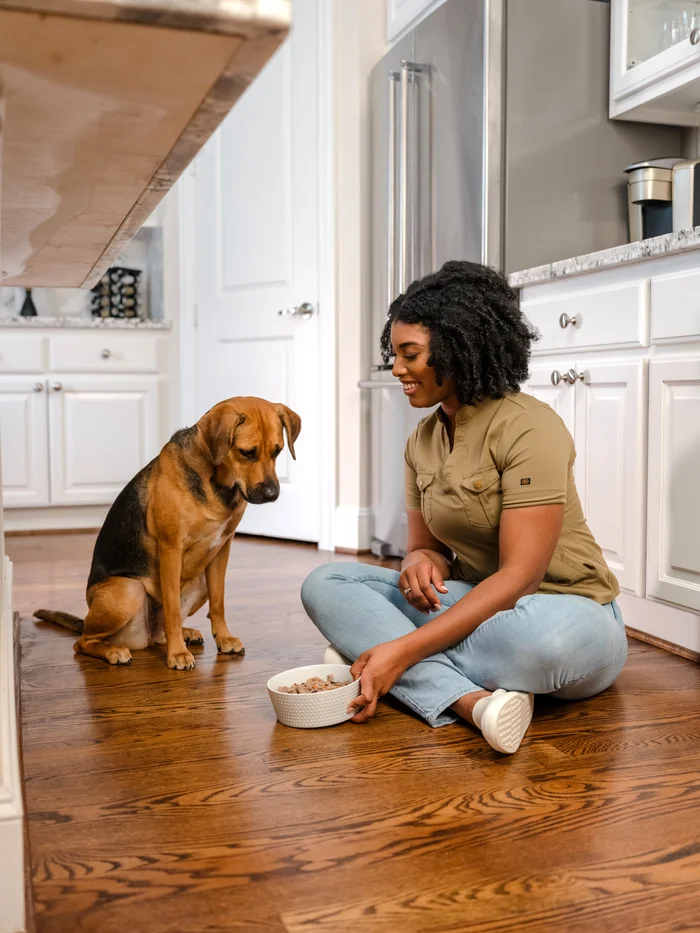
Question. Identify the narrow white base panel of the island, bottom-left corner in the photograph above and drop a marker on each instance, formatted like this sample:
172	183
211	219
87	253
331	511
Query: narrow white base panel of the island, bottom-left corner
12	914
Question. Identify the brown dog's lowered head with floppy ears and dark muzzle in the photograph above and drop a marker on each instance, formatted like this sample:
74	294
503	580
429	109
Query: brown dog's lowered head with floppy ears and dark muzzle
244	437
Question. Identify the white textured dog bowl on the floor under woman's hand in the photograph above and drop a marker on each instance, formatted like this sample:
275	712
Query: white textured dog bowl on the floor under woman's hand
312	710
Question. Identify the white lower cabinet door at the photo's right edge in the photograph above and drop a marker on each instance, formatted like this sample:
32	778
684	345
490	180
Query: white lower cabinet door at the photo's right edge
673	555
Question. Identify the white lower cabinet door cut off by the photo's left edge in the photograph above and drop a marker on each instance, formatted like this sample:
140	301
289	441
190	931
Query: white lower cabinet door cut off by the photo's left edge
23	429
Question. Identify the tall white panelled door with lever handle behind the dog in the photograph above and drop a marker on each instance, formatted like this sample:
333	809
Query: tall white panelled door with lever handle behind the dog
256	208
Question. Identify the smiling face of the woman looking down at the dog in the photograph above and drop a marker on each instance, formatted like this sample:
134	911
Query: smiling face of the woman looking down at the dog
411	344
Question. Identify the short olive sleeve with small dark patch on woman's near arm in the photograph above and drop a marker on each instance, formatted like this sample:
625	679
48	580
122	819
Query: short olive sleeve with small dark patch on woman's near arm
537	453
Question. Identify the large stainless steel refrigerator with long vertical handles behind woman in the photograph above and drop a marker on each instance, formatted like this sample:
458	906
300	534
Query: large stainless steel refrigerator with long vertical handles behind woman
490	142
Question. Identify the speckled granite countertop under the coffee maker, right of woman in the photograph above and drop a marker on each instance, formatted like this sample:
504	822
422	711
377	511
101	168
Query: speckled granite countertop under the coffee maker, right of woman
608	258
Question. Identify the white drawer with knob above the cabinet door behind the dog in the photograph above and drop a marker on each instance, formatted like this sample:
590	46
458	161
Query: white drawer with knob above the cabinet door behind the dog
106	353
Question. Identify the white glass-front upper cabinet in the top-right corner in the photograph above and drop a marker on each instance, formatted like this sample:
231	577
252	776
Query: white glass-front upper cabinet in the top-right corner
655	61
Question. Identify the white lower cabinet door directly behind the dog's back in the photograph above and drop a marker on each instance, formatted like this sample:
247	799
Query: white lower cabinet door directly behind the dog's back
103	430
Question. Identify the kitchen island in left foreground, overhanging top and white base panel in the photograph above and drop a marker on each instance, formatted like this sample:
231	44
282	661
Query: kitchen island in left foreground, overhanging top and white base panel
103	104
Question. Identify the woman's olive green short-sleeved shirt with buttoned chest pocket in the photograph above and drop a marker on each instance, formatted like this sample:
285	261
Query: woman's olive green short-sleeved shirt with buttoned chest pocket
508	453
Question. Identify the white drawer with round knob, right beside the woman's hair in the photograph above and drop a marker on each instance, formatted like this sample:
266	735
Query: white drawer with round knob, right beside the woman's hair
604	317
